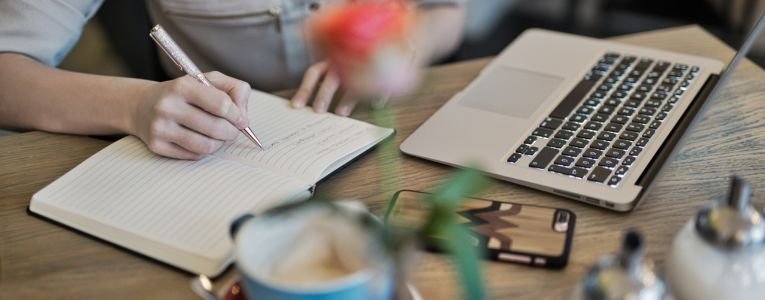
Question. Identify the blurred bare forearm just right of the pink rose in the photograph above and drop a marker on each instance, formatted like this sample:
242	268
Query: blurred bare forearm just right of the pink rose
438	31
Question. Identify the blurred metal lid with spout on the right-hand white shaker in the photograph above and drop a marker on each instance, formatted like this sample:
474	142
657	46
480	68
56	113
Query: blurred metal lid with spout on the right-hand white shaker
732	224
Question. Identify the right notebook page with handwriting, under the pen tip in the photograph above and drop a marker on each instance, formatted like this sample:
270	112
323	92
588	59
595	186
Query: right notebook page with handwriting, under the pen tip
301	143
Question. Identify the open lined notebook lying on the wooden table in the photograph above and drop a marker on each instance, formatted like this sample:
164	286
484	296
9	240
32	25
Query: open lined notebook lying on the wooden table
179	211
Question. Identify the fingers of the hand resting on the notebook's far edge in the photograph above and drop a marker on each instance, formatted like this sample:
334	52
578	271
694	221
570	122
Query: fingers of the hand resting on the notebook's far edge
321	79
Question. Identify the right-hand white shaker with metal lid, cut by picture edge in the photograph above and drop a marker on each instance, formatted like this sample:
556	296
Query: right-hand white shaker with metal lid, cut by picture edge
721	253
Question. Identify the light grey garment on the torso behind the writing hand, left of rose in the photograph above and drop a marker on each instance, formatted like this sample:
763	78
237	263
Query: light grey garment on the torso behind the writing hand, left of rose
262	42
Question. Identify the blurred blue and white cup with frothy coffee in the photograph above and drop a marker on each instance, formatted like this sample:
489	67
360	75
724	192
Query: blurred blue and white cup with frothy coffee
312	251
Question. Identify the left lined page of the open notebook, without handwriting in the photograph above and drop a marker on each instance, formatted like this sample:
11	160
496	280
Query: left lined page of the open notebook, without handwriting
186	205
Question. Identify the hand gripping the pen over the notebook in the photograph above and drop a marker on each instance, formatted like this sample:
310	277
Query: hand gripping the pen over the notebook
185	119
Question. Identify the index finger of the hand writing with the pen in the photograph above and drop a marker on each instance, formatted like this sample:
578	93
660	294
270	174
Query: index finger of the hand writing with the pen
211	100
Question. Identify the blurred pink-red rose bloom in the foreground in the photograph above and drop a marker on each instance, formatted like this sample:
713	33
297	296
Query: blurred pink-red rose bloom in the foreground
368	45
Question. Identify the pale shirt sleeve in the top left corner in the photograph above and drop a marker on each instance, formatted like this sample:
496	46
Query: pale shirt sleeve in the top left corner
45	30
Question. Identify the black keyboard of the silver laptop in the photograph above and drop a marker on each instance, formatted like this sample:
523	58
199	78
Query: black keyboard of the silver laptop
601	127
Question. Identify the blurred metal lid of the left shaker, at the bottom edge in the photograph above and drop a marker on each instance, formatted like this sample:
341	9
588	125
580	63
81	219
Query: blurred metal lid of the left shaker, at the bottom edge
625	275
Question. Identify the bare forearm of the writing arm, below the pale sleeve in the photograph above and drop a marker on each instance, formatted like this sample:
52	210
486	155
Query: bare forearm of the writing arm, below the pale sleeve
34	96
